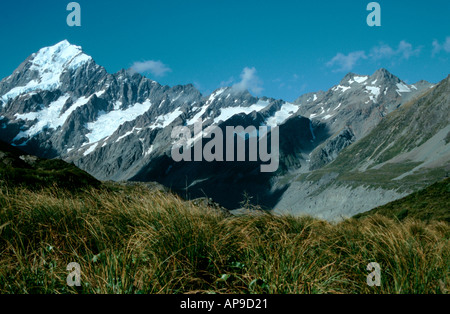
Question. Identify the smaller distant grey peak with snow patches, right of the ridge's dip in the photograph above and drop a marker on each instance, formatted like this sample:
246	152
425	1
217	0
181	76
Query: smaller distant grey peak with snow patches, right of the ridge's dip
359	101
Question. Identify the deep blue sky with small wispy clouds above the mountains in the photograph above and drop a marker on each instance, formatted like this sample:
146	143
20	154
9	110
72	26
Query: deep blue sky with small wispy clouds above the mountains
280	49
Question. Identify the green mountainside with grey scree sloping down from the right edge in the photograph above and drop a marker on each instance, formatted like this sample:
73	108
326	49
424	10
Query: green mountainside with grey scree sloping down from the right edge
408	150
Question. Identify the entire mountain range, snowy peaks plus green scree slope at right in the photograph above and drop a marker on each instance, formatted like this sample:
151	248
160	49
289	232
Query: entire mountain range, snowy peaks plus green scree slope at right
365	142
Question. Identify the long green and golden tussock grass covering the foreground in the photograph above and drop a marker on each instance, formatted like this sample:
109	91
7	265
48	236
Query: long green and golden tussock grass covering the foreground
134	240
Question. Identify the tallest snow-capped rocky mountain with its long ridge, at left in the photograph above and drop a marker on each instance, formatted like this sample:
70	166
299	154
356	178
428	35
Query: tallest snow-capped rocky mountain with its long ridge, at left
59	103
